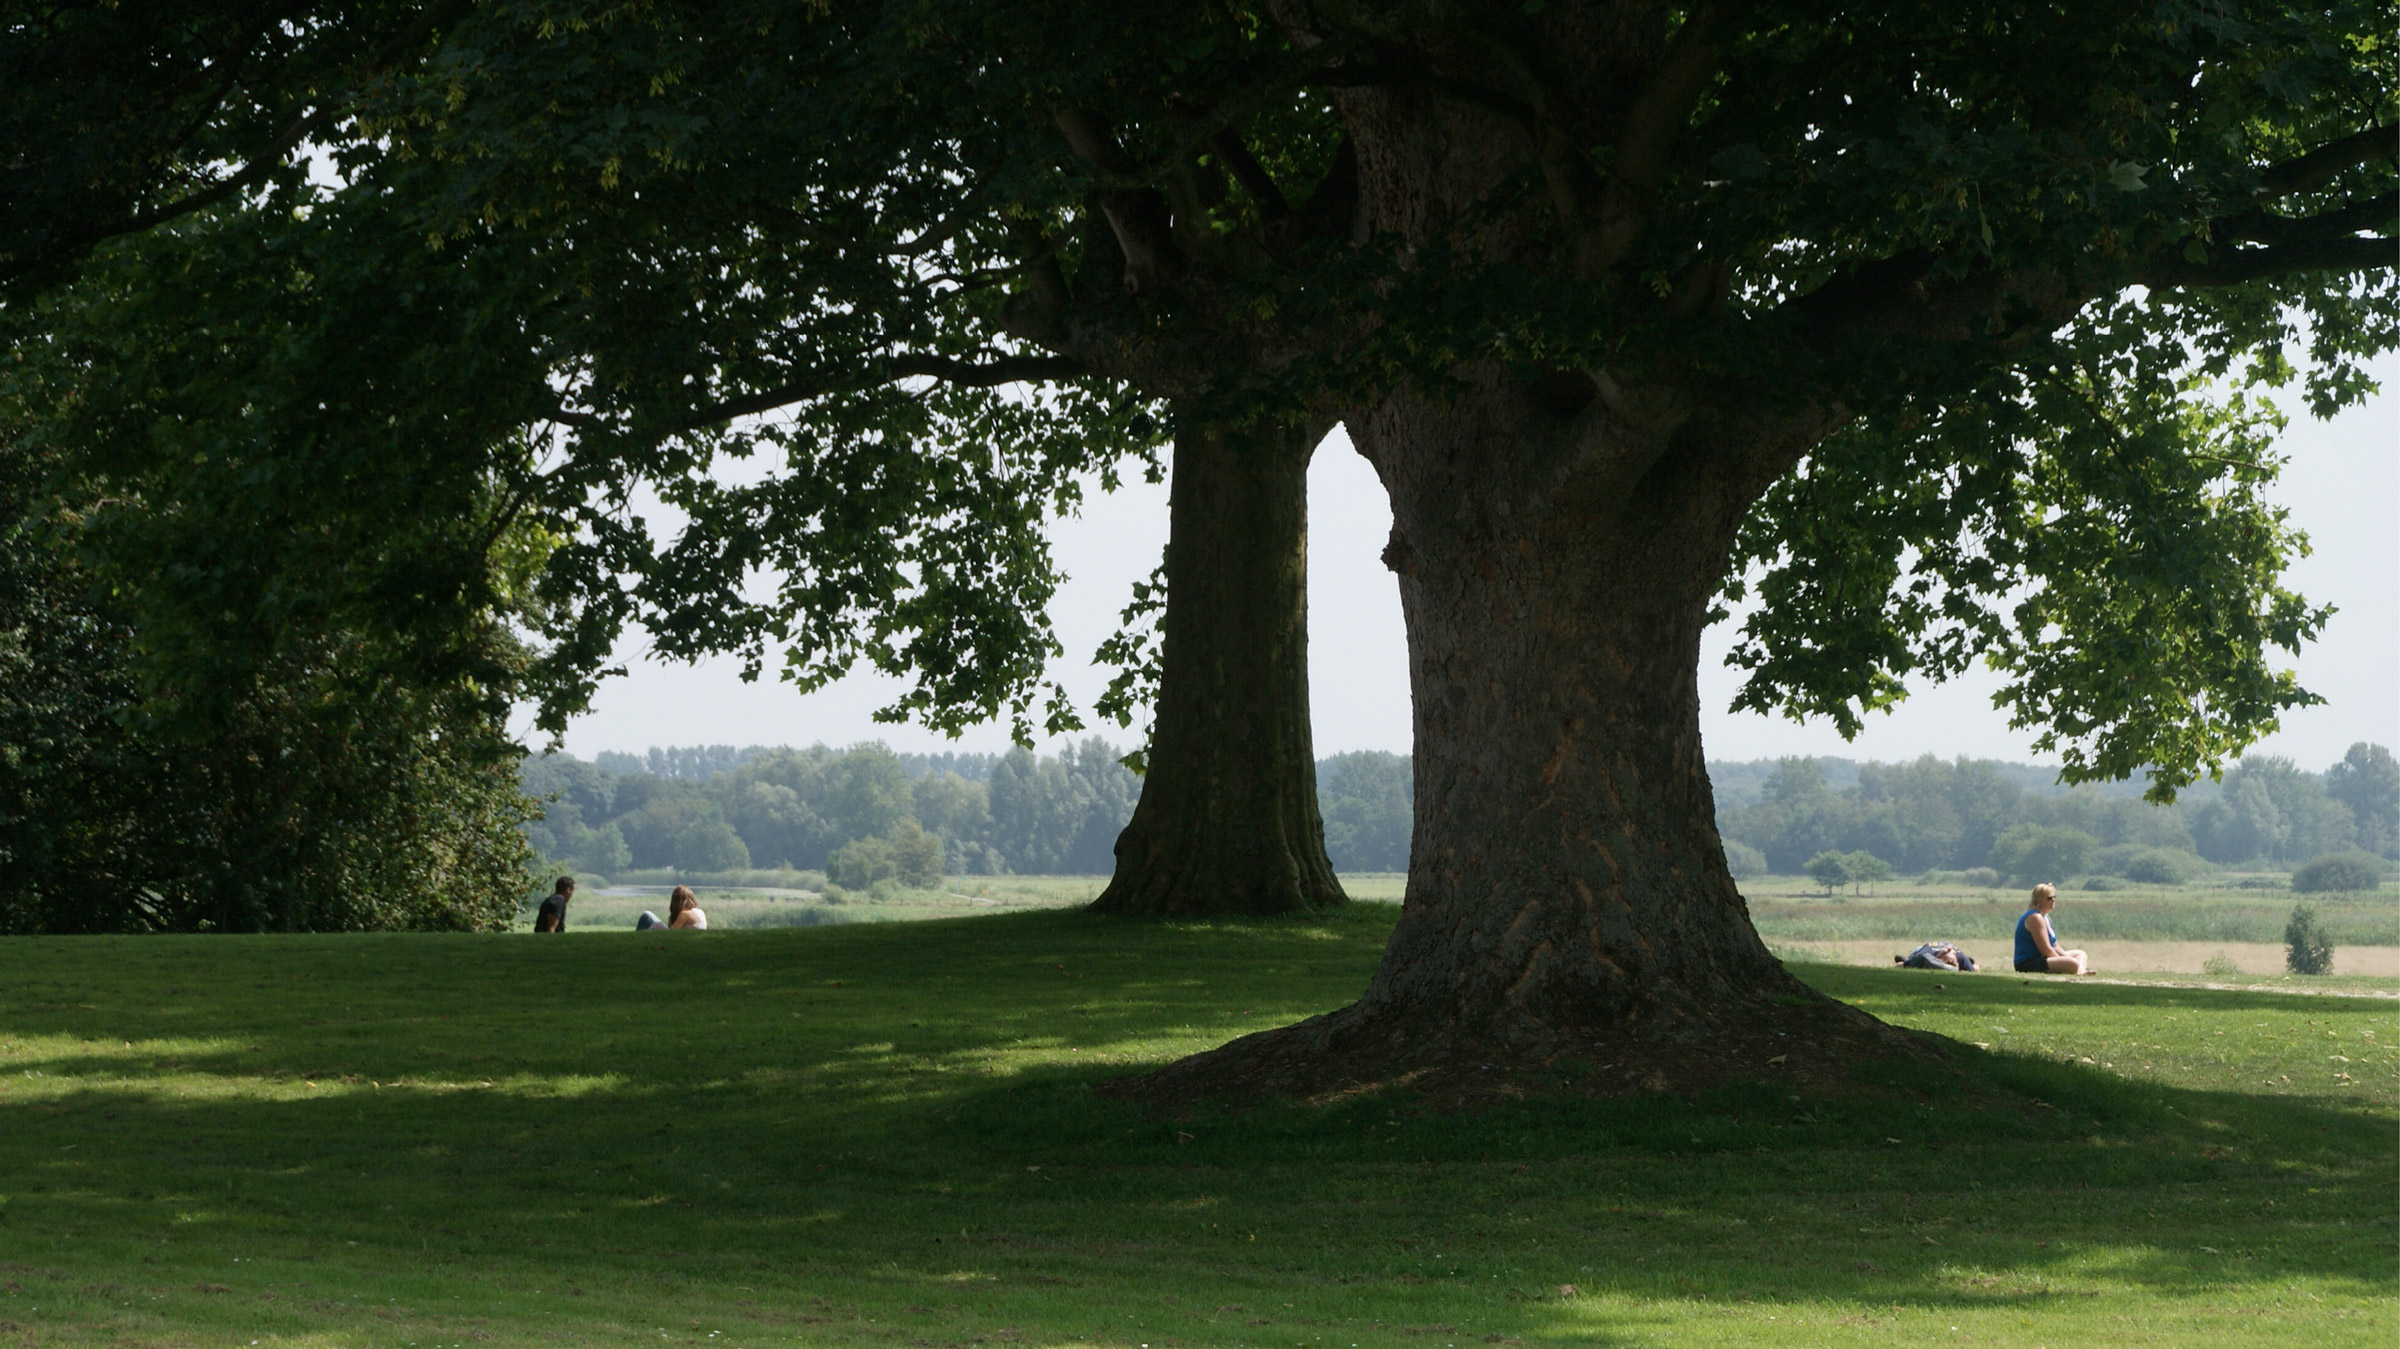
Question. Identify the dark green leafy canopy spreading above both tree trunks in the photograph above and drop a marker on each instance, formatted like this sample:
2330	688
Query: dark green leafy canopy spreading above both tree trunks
613	232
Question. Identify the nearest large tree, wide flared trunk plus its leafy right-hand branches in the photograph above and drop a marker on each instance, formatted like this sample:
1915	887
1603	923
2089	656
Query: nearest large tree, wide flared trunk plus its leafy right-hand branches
1907	304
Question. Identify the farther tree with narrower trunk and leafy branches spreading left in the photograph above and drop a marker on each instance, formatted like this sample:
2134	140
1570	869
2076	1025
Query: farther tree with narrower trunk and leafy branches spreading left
685	248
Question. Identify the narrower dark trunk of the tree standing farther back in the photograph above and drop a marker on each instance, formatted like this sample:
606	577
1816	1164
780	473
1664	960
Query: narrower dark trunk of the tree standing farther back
1228	822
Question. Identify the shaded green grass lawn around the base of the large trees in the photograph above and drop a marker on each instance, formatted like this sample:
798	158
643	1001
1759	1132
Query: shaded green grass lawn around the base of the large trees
884	1134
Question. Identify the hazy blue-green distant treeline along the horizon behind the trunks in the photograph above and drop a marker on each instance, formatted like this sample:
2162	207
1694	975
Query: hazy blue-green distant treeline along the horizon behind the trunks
726	810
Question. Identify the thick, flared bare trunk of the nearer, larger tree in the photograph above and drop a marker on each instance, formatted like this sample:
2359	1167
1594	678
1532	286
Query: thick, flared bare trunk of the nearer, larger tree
1568	894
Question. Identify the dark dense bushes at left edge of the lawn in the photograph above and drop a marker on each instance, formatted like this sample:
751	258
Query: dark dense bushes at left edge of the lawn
318	801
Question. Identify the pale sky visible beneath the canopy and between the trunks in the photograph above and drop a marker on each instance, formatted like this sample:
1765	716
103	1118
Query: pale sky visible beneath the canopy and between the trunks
2344	488
